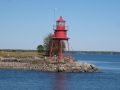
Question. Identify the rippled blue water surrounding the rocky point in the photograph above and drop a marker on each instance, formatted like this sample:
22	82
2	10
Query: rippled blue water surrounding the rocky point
108	79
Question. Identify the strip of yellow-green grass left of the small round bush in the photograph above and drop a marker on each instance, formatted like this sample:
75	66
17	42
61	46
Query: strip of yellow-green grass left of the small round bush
21	54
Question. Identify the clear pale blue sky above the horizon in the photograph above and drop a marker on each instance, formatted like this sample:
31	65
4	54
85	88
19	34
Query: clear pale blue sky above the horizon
94	25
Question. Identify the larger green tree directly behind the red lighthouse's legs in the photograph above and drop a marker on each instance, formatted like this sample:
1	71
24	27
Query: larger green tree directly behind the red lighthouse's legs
48	43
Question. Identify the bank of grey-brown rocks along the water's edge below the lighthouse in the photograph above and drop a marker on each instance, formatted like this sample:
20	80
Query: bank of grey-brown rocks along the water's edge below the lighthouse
42	64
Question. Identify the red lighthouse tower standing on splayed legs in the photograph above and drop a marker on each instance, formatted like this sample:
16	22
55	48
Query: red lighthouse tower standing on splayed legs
60	33
